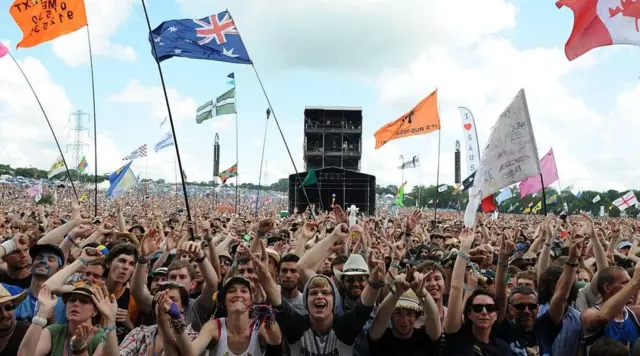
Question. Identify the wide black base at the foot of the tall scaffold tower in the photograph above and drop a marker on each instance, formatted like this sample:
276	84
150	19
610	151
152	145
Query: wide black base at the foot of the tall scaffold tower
350	188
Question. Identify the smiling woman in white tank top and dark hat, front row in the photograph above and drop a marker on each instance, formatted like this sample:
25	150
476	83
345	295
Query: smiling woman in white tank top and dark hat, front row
234	335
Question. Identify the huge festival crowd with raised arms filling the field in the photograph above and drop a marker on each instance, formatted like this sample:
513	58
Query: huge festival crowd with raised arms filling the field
143	277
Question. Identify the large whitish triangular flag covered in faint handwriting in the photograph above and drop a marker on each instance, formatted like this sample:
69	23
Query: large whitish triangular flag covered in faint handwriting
511	155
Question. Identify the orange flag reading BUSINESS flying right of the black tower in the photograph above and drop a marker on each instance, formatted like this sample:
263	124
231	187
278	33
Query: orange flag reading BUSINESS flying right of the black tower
421	120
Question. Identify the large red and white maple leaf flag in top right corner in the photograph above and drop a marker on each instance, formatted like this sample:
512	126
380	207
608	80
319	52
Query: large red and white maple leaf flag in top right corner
599	23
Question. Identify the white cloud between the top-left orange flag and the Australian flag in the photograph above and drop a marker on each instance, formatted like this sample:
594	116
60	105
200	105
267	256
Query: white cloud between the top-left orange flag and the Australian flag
105	19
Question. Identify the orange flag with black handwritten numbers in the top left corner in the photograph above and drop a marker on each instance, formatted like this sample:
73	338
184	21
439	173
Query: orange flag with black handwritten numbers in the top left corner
45	20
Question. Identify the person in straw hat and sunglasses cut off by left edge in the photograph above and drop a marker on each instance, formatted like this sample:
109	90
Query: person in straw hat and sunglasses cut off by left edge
11	331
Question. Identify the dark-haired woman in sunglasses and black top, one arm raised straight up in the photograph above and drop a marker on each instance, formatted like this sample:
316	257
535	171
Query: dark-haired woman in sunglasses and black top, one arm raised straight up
467	326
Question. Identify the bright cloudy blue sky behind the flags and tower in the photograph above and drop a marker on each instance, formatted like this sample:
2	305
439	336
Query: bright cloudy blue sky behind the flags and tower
381	55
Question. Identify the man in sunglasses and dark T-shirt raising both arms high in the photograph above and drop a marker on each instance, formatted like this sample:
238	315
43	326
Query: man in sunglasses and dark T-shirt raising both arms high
525	332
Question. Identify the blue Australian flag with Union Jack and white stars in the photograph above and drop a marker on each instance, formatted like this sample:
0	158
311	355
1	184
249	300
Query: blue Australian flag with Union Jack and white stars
214	38
